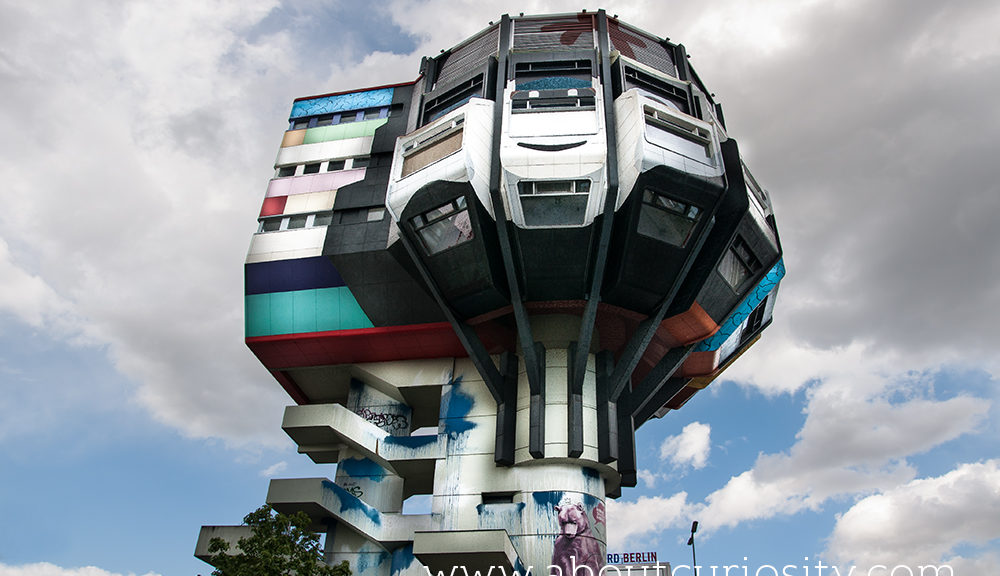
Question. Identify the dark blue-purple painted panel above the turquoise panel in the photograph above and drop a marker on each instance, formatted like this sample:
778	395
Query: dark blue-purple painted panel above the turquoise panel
288	275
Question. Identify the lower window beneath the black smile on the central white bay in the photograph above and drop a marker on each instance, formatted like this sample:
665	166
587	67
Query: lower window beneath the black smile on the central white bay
546	203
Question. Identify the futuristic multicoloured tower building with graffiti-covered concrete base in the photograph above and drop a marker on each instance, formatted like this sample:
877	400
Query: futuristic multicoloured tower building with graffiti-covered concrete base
477	285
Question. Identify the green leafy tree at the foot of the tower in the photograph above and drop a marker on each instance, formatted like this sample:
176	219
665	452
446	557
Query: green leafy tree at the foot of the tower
279	545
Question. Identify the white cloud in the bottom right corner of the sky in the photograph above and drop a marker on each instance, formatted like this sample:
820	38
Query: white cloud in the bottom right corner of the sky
923	521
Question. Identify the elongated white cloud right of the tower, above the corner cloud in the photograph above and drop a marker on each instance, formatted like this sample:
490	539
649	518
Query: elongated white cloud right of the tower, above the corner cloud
861	426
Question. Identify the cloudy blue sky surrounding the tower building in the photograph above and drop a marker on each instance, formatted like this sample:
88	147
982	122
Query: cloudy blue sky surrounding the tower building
139	138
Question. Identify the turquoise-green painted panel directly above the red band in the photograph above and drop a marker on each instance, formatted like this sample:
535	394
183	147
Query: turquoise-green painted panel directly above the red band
299	311
